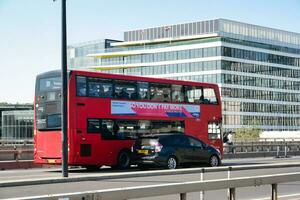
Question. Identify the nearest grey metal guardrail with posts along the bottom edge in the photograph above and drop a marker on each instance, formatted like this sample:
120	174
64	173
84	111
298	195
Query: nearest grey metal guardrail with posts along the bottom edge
179	188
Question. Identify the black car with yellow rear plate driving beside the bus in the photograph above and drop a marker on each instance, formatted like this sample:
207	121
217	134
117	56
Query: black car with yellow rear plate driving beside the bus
172	150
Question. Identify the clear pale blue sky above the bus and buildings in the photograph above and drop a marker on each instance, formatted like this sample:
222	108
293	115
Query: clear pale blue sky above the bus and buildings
30	35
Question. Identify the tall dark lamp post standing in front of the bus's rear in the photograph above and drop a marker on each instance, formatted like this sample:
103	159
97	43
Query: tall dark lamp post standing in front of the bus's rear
64	89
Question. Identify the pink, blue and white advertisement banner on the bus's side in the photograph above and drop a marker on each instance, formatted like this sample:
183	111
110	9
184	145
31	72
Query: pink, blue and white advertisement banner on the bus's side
154	109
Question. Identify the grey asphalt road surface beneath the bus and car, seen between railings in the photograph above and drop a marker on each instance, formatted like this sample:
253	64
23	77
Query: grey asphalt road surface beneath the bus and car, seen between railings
285	190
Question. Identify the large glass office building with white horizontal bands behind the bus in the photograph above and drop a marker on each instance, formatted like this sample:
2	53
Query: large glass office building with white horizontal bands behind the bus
257	68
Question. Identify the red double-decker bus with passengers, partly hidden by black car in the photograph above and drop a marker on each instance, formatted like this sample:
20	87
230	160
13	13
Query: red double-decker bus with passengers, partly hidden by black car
107	112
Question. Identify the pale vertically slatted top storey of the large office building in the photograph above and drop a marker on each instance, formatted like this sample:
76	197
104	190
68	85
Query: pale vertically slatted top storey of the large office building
224	27
